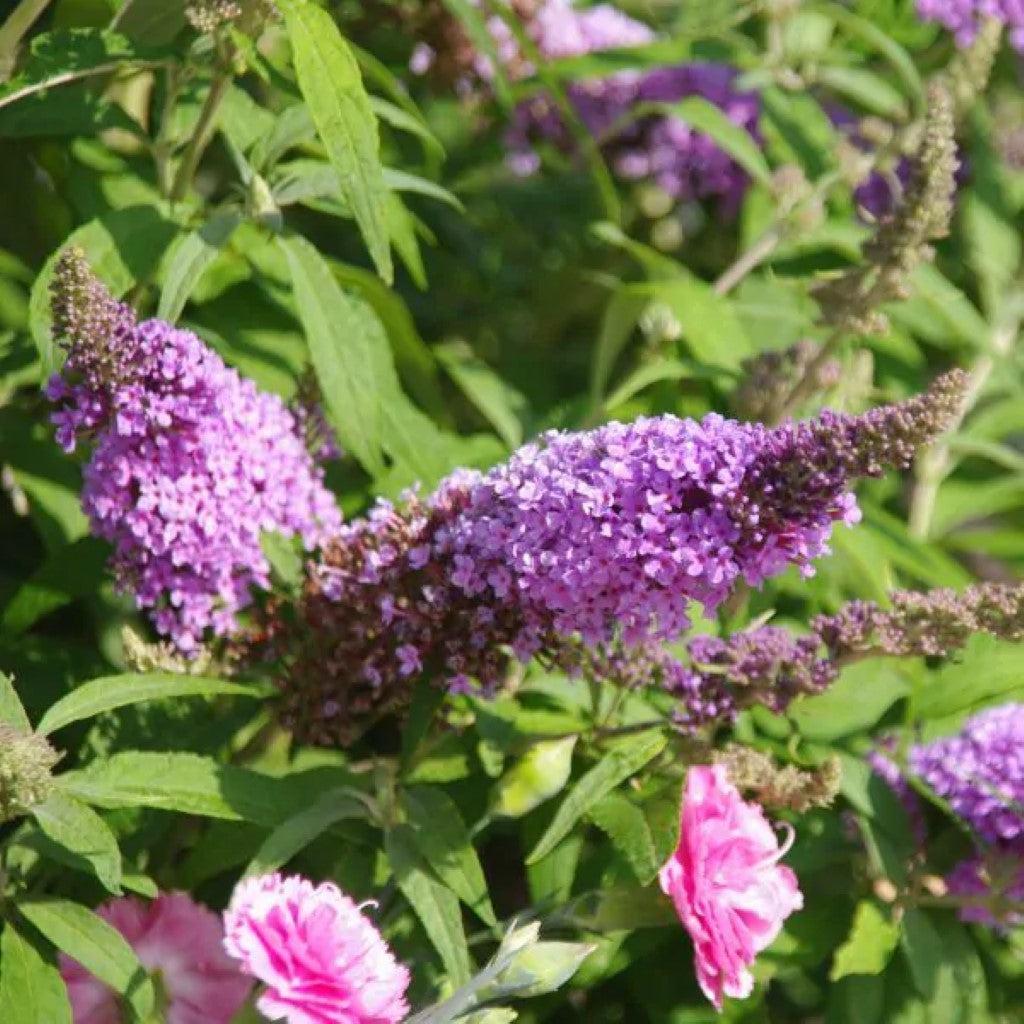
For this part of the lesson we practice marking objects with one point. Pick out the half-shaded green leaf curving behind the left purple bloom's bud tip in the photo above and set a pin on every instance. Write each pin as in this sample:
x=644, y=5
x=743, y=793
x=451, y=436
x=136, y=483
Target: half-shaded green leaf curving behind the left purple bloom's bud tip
x=123, y=248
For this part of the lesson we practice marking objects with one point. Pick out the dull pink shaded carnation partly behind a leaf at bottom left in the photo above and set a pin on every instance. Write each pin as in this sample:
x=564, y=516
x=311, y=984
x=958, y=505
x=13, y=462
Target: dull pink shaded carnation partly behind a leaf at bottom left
x=181, y=942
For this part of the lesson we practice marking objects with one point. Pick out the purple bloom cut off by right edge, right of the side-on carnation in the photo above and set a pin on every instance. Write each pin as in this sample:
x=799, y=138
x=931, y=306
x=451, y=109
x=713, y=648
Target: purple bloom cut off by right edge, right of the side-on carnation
x=980, y=774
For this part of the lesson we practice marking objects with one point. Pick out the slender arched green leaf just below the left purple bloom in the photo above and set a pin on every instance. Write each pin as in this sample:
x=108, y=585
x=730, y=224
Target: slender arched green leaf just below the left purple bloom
x=110, y=693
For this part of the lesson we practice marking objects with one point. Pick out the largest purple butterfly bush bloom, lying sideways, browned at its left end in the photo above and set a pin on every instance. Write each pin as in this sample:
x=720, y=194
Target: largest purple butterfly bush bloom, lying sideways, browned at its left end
x=601, y=537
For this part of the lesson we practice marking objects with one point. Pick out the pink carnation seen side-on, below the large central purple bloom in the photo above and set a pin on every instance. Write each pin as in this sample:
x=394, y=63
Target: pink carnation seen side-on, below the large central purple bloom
x=730, y=889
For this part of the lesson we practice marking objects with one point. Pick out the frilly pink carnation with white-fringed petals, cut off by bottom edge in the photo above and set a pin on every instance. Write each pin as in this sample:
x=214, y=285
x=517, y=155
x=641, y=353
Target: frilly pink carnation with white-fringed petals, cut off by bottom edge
x=321, y=958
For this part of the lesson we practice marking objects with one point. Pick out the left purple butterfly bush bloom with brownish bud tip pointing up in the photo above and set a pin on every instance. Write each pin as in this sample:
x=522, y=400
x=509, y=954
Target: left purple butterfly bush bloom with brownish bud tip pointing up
x=189, y=464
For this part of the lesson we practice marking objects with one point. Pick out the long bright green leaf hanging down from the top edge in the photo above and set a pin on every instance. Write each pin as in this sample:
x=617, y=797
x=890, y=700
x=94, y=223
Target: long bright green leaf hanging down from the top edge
x=332, y=87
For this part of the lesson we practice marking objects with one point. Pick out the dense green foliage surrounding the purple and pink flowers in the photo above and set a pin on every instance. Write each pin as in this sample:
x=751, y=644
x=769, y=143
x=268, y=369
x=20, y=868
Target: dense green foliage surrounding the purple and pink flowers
x=303, y=201
